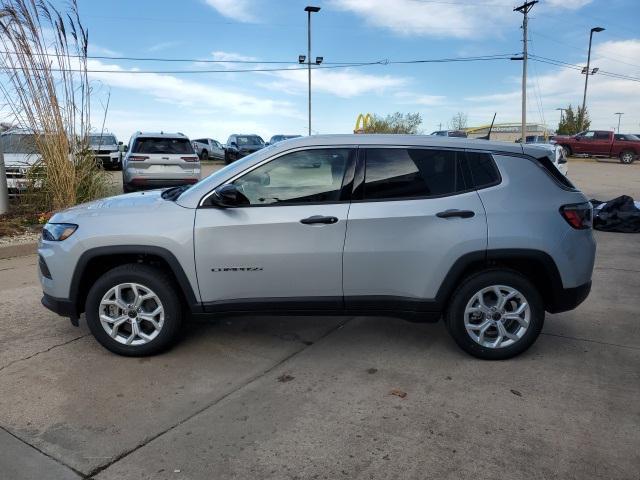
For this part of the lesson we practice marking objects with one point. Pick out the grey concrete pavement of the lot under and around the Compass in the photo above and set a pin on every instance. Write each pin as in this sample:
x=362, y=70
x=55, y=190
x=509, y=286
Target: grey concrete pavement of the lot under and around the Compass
x=311, y=397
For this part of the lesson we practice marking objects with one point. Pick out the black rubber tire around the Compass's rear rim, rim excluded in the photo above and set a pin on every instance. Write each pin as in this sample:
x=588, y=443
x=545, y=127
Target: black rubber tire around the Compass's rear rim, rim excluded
x=455, y=322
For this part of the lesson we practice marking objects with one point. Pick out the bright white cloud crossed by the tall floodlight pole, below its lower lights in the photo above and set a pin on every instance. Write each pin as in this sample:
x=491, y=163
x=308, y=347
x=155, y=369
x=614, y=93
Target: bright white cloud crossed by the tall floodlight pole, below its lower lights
x=343, y=83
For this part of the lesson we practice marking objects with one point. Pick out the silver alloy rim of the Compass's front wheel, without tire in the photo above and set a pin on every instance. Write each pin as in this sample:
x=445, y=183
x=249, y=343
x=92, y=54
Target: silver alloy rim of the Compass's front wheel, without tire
x=131, y=314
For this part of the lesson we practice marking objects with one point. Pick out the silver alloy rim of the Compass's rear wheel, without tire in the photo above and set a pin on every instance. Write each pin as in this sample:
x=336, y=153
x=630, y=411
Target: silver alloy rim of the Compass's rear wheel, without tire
x=497, y=316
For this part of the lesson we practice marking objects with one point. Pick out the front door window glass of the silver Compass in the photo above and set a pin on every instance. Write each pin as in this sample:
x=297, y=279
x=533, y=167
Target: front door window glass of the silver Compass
x=306, y=176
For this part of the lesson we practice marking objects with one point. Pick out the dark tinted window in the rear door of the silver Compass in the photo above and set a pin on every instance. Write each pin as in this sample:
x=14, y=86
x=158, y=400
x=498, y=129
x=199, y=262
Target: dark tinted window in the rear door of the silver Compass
x=410, y=173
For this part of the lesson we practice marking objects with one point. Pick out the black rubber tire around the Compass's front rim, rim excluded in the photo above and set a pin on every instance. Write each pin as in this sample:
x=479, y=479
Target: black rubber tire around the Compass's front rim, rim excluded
x=151, y=278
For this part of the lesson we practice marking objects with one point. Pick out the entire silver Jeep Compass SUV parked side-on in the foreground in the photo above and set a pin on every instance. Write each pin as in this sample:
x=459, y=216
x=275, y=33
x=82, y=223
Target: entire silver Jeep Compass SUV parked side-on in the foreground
x=487, y=235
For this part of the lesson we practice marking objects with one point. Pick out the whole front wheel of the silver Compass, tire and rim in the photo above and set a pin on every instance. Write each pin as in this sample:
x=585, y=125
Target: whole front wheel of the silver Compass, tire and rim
x=133, y=310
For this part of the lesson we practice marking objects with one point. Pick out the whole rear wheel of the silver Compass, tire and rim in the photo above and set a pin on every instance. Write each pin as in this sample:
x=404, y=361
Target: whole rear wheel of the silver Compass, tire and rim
x=495, y=314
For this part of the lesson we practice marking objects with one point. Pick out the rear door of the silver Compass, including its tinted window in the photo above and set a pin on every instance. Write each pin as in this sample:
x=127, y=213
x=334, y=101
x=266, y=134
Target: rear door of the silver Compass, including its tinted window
x=414, y=214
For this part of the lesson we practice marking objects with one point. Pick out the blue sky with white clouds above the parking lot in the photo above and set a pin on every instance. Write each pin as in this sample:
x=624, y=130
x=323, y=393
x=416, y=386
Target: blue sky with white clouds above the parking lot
x=353, y=31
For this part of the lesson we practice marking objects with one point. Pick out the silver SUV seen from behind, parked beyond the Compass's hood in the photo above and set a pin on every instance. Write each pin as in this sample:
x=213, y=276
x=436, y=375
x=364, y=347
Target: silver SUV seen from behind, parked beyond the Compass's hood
x=155, y=160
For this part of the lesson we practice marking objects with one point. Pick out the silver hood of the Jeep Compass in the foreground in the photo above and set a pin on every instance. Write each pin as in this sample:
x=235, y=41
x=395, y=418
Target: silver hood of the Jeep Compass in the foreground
x=142, y=202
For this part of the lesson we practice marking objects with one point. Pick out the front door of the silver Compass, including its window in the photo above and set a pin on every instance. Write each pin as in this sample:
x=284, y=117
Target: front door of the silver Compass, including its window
x=284, y=250
